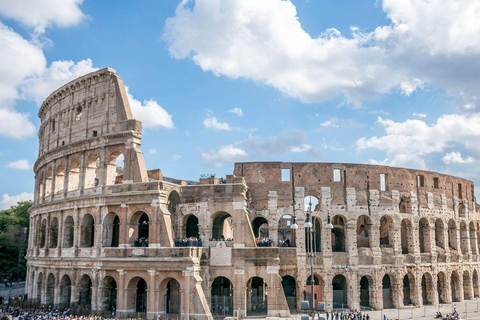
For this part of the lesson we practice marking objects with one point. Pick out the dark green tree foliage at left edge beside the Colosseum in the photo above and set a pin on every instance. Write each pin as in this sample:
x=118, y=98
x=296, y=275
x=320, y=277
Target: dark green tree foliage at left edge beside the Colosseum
x=14, y=223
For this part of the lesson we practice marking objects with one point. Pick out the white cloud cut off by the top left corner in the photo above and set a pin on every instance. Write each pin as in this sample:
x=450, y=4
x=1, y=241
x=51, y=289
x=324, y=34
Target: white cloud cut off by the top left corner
x=41, y=14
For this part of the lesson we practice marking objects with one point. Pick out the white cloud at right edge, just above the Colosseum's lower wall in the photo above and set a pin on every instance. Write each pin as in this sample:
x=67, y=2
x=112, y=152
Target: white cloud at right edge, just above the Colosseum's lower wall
x=408, y=143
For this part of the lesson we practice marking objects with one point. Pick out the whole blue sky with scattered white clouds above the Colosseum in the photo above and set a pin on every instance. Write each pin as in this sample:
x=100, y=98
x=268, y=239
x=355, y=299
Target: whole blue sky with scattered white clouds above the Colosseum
x=383, y=82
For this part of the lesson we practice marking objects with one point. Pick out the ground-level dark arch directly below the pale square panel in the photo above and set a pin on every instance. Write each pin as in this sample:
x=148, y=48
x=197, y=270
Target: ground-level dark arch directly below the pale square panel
x=222, y=297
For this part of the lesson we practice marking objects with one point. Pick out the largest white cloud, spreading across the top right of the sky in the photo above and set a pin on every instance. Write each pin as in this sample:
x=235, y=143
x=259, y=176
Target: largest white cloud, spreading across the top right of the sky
x=270, y=46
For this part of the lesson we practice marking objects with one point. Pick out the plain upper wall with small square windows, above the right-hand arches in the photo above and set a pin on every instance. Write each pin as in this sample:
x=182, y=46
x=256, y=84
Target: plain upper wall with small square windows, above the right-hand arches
x=428, y=187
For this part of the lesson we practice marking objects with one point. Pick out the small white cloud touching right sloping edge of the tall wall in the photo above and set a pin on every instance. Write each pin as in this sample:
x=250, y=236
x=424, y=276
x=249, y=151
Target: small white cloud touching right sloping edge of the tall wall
x=150, y=113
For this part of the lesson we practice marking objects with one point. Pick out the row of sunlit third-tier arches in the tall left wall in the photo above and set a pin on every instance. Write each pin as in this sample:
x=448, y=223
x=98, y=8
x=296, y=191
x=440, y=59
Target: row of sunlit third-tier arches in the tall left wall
x=67, y=178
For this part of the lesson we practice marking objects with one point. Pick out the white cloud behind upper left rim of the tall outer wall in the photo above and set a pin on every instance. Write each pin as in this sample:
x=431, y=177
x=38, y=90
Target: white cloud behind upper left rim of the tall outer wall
x=56, y=75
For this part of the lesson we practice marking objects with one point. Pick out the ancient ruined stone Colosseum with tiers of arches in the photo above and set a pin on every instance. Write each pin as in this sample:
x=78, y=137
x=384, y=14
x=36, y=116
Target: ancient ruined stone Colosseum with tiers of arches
x=108, y=235
